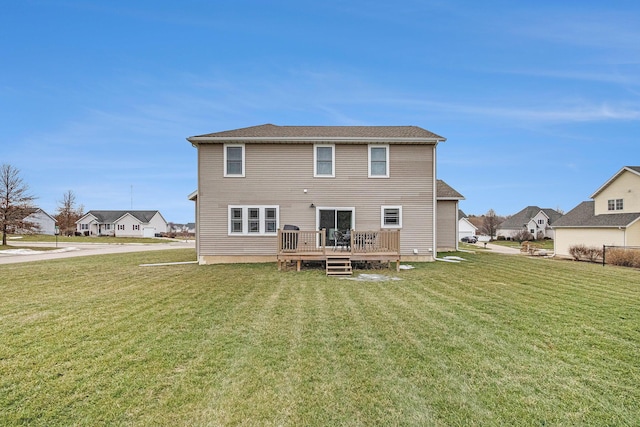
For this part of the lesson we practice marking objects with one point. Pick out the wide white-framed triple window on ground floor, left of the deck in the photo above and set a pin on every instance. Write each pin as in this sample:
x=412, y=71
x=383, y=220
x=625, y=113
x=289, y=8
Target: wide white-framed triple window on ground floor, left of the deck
x=253, y=220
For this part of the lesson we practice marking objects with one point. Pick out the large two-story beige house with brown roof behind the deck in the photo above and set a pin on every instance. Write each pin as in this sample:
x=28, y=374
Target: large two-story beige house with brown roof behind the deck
x=254, y=181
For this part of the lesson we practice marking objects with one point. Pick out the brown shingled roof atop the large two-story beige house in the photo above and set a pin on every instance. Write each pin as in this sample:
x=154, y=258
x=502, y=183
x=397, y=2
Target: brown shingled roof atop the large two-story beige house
x=271, y=133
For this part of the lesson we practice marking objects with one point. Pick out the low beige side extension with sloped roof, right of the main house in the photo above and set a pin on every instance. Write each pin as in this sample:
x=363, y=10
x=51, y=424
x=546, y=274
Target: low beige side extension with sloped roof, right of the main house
x=447, y=214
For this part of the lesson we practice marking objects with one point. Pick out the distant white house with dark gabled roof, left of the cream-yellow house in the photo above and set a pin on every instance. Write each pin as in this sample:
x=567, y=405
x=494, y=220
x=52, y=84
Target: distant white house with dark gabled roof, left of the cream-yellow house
x=533, y=219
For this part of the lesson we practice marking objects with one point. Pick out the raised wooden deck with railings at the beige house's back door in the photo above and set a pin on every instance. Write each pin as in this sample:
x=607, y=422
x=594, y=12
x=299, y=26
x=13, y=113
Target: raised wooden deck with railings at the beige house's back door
x=299, y=245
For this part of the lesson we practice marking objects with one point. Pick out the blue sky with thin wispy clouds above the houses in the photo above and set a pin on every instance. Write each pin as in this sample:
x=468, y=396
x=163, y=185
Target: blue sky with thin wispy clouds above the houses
x=539, y=101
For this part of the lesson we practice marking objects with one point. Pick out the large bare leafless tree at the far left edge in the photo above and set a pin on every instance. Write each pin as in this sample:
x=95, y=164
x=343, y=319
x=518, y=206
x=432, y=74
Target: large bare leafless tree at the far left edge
x=16, y=203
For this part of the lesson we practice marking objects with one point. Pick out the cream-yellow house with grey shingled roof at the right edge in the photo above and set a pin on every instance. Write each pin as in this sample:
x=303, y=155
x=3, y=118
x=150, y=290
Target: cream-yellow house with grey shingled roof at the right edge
x=611, y=218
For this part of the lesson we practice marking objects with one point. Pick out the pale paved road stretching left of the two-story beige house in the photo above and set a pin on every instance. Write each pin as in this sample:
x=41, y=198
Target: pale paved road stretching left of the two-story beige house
x=68, y=250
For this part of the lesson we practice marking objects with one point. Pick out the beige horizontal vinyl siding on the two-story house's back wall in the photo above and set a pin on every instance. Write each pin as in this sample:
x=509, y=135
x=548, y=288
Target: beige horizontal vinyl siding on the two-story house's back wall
x=278, y=174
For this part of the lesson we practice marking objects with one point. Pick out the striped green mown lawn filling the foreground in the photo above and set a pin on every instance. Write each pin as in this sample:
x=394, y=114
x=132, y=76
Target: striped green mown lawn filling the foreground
x=496, y=340
